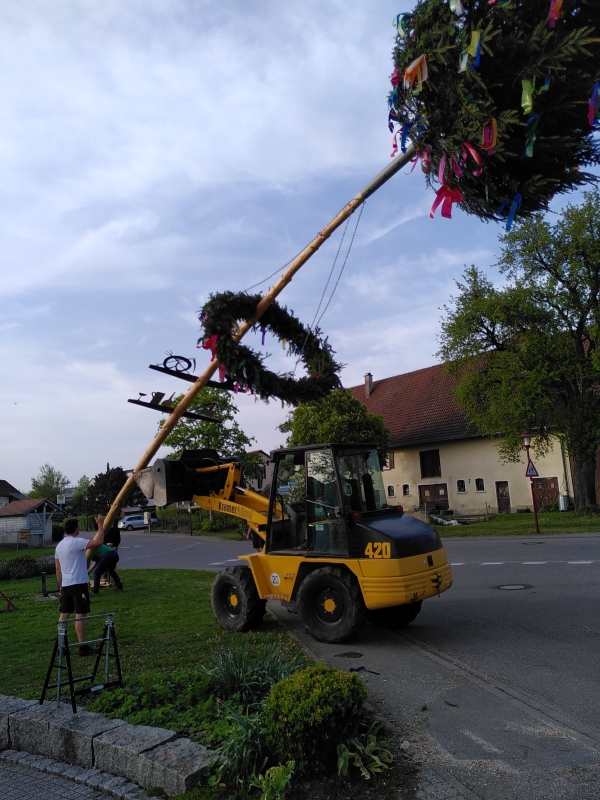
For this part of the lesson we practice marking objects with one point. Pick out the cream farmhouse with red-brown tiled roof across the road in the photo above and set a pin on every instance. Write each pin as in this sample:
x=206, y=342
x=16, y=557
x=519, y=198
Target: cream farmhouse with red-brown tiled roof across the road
x=437, y=457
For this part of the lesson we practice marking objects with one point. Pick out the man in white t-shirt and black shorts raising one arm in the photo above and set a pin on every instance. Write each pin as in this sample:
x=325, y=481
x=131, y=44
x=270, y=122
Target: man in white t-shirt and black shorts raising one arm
x=72, y=576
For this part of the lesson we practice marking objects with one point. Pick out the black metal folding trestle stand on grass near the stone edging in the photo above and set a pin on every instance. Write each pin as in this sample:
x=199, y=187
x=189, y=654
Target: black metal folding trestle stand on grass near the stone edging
x=61, y=661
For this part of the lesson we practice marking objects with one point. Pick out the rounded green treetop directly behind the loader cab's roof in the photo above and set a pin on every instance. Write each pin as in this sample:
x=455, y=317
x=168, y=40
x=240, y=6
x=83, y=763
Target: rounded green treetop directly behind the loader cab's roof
x=339, y=417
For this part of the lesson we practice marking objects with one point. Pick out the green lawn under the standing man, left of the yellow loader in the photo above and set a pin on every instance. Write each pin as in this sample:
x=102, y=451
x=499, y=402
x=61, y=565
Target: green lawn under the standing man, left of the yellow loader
x=163, y=622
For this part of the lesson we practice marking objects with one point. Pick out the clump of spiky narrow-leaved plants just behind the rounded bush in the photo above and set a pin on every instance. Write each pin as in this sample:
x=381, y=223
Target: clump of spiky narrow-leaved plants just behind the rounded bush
x=243, y=671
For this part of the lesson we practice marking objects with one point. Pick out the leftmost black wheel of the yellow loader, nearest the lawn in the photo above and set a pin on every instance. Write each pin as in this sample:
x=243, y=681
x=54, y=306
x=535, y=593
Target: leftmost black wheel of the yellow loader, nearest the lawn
x=235, y=601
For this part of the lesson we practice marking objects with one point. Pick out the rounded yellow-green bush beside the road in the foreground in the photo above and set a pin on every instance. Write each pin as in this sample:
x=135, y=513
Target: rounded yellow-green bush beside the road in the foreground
x=310, y=712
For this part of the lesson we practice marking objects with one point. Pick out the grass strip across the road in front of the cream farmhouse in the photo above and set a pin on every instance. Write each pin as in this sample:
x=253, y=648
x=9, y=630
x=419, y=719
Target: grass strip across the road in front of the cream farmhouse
x=523, y=525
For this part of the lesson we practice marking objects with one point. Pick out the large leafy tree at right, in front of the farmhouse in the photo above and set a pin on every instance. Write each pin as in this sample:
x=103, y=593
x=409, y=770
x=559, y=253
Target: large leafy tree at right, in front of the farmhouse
x=526, y=355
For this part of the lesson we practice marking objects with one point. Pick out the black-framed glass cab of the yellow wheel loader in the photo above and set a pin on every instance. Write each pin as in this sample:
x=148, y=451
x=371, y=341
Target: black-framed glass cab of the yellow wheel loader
x=316, y=490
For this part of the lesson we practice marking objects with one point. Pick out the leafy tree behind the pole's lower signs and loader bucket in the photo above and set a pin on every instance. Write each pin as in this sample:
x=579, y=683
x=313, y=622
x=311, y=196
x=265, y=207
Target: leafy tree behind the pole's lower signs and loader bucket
x=224, y=436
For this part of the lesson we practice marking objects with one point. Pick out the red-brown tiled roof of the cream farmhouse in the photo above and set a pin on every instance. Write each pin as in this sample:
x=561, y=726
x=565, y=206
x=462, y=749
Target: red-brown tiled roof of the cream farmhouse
x=417, y=408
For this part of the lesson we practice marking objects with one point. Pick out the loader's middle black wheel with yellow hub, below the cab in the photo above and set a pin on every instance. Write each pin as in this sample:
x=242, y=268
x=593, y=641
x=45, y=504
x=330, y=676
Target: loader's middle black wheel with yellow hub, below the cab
x=330, y=605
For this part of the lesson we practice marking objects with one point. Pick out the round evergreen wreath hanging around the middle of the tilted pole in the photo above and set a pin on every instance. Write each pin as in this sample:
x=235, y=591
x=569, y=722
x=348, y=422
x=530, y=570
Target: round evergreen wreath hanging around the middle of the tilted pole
x=220, y=317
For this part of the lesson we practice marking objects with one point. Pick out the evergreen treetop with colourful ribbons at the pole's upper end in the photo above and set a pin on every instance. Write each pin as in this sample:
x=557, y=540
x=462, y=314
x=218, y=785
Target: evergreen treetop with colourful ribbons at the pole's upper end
x=527, y=68
